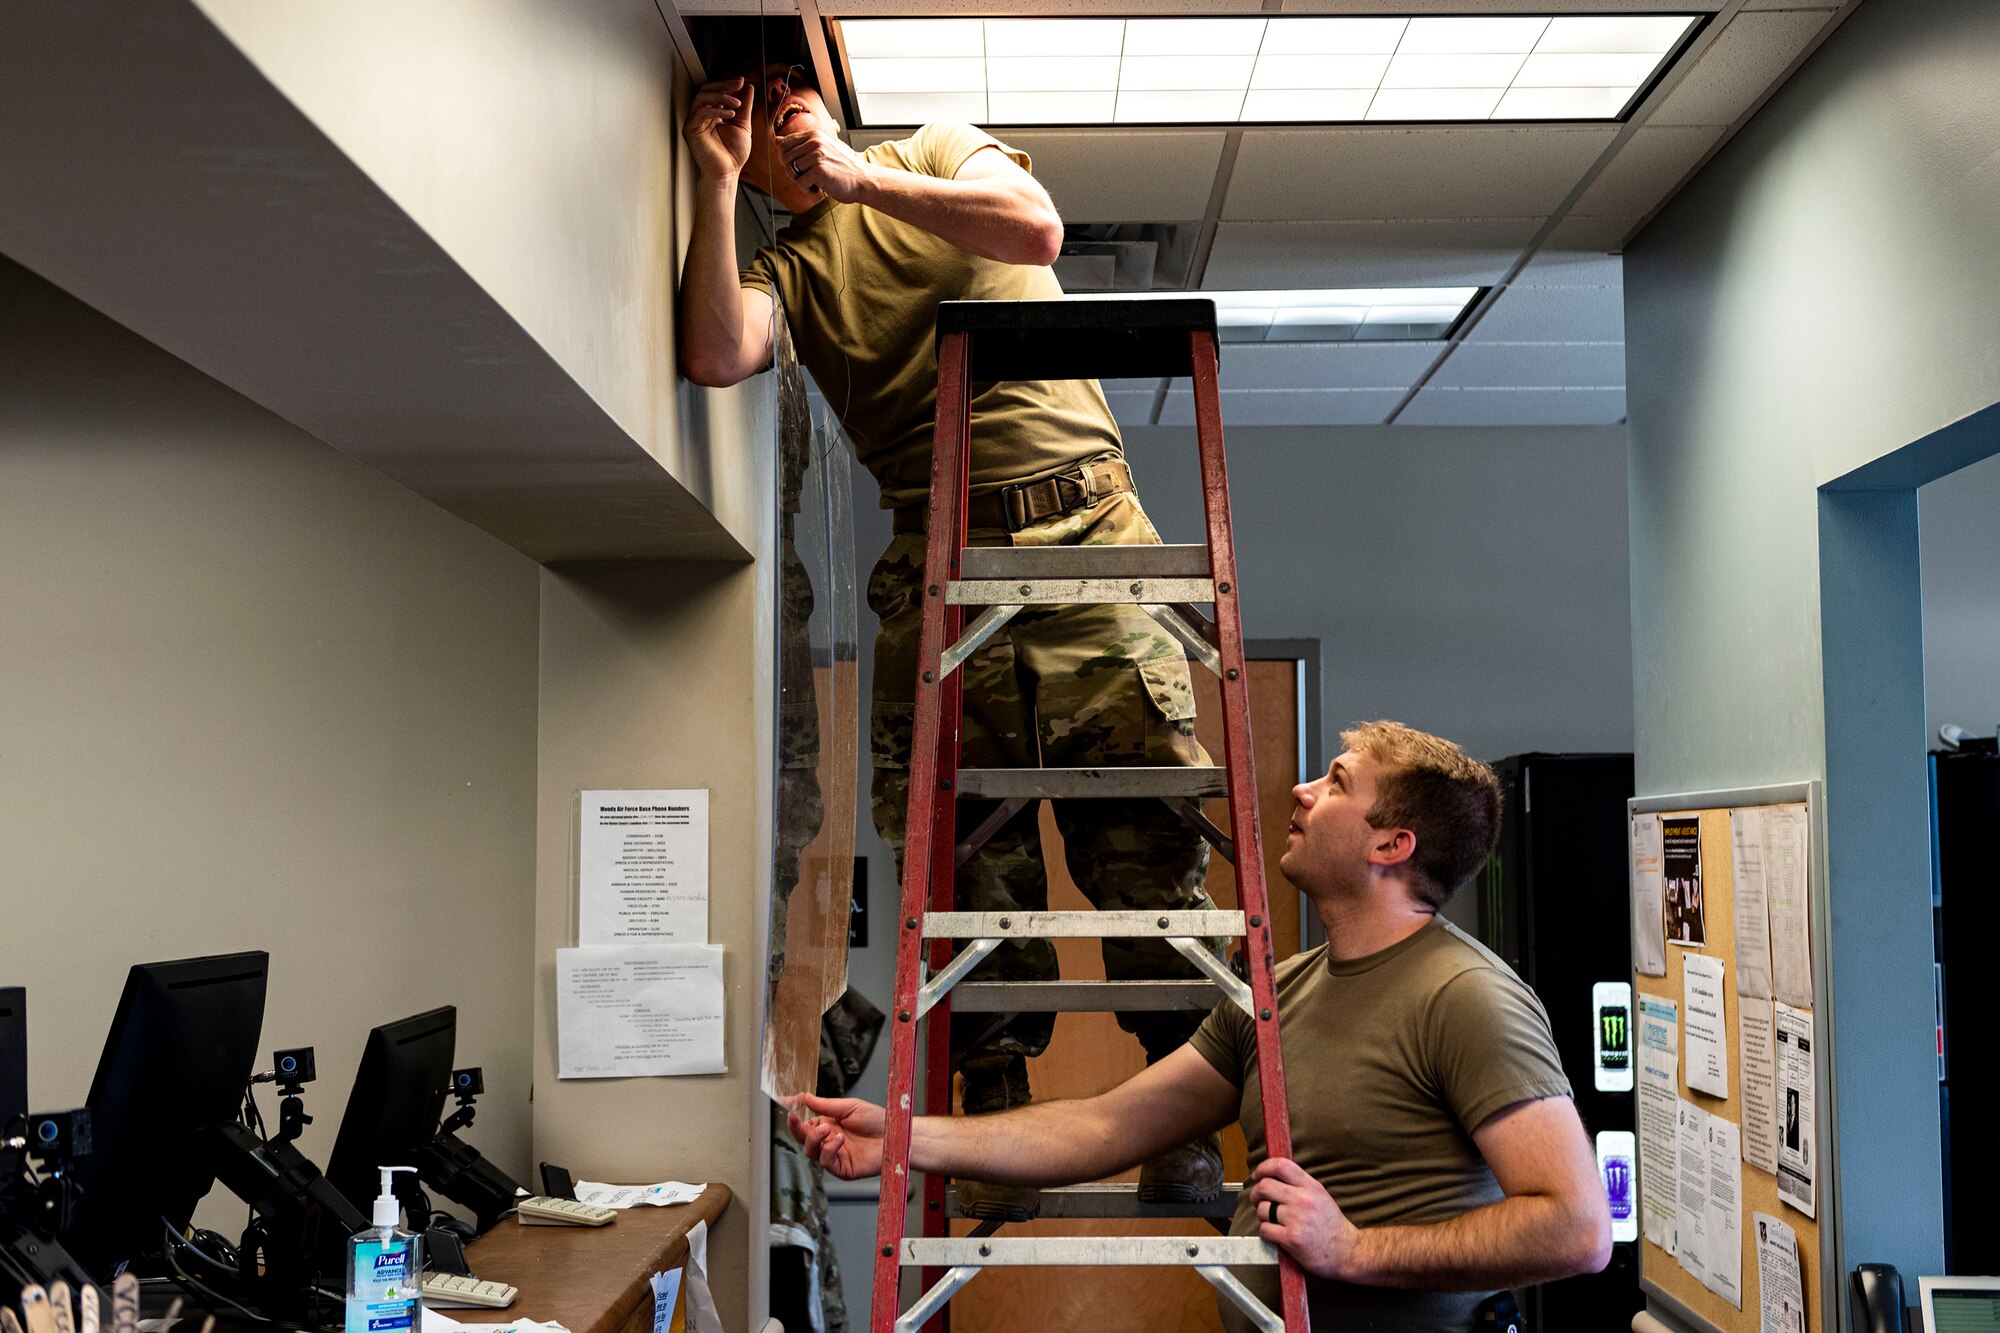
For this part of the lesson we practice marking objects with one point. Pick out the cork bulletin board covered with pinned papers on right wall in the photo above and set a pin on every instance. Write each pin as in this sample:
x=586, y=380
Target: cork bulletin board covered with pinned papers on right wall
x=1703, y=924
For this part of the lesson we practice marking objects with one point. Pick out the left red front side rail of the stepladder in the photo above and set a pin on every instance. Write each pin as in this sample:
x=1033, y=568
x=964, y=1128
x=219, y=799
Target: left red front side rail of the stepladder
x=921, y=838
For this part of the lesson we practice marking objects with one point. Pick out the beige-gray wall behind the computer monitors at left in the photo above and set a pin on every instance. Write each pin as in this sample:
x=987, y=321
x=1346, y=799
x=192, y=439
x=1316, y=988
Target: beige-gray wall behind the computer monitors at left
x=253, y=696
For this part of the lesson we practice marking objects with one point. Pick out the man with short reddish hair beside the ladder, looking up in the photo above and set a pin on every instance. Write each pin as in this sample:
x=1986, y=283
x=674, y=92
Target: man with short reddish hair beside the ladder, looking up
x=1437, y=1154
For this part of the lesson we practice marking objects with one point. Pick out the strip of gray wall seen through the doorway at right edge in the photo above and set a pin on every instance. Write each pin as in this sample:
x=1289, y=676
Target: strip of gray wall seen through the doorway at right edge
x=1961, y=541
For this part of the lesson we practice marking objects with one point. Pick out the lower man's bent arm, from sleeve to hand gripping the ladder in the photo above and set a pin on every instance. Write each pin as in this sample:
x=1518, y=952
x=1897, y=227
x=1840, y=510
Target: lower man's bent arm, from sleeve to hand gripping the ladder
x=1555, y=1220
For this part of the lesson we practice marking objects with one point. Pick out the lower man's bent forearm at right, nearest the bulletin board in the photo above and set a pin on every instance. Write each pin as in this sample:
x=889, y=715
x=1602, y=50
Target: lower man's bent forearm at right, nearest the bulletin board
x=1509, y=1244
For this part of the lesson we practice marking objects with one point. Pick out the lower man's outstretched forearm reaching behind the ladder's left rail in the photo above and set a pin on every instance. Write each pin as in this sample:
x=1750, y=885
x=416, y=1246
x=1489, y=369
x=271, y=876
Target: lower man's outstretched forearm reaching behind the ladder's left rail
x=1043, y=1144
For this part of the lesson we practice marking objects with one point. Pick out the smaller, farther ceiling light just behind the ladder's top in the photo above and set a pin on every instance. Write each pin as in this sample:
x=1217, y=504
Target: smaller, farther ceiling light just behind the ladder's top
x=1345, y=315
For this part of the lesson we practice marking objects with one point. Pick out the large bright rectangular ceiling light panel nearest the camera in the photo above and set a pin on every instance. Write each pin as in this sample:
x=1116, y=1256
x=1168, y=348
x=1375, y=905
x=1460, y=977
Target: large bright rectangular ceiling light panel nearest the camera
x=1231, y=71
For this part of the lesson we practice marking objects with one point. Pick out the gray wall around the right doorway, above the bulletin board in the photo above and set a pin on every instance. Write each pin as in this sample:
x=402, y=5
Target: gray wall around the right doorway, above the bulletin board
x=1819, y=301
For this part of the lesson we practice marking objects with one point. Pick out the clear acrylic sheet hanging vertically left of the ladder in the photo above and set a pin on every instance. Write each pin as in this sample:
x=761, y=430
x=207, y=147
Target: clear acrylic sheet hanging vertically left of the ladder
x=819, y=734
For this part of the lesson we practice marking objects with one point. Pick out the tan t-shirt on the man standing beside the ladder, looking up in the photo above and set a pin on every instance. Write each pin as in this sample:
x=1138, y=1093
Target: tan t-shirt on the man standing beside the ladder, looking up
x=1391, y=1064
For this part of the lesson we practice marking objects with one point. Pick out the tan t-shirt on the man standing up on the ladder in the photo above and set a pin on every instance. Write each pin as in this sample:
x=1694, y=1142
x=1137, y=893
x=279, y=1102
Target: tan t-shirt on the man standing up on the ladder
x=861, y=293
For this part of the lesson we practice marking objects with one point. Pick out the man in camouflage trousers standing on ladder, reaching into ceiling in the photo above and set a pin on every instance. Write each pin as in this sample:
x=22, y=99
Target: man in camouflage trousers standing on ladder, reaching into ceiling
x=877, y=241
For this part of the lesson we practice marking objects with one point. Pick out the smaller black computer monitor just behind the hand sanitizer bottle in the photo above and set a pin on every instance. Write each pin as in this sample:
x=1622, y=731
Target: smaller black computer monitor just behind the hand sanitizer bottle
x=397, y=1102
